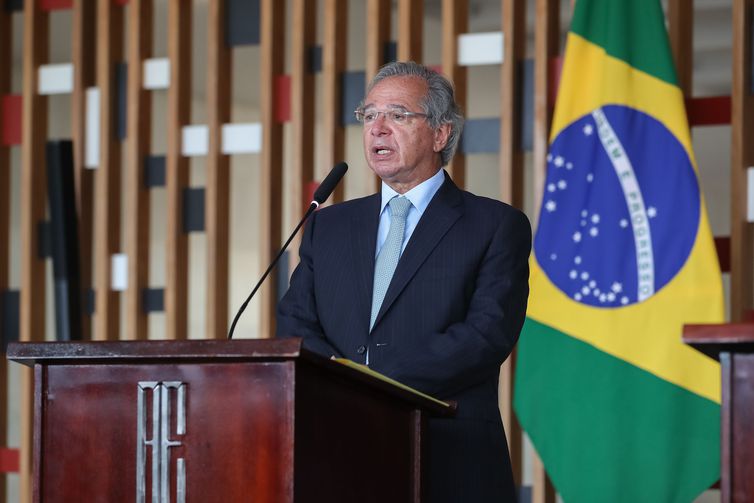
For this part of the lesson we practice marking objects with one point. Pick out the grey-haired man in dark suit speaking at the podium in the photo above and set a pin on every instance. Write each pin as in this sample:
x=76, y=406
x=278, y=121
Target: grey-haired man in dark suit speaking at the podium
x=424, y=282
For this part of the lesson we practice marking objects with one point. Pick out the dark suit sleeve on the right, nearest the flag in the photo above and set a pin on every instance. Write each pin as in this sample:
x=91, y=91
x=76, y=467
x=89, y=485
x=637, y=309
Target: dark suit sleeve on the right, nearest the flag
x=471, y=351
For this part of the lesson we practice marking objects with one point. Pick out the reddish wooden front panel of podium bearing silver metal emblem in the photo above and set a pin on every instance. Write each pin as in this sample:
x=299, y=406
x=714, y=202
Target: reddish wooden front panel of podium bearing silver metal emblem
x=211, y=432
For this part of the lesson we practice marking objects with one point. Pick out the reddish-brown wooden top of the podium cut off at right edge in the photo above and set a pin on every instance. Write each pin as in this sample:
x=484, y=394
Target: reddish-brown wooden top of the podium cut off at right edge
x=719, y=338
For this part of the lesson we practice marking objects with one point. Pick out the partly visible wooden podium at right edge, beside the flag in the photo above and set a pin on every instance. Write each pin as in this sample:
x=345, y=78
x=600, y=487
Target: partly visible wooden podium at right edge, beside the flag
x=733, y=345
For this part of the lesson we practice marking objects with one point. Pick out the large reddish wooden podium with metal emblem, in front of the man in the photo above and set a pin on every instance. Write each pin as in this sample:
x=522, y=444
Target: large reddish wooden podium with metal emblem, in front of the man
x=225, y=421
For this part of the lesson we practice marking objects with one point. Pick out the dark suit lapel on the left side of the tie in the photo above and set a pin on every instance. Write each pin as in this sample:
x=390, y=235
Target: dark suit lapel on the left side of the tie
x=364, y=232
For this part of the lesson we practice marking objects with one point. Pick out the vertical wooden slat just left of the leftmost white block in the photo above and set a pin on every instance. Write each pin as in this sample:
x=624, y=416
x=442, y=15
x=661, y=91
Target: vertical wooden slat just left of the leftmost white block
x=33, y=206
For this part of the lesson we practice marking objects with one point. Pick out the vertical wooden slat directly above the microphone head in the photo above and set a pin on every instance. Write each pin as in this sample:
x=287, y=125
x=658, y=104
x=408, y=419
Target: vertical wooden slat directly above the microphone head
x=334, y=65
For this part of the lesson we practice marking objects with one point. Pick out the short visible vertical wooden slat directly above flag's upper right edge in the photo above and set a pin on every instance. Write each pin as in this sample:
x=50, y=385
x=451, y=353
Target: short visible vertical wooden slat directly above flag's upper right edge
x=681, y=33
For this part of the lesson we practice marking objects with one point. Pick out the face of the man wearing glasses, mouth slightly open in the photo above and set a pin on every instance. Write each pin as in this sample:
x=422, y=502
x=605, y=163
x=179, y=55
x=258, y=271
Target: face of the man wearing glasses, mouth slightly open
x=402, y=155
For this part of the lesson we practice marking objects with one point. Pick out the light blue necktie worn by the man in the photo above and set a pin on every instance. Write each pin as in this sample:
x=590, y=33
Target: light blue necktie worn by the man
x=387, y=258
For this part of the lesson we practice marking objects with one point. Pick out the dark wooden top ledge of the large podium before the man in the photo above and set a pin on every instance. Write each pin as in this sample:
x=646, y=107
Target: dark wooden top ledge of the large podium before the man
x=207, y=351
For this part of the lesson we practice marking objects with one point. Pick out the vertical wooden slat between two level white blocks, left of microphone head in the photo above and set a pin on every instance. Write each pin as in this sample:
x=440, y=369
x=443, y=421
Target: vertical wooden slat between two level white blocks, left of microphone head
x=217, y=191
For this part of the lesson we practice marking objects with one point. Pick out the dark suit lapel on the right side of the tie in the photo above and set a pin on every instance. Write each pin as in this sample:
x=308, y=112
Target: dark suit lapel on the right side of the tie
x=446, y=207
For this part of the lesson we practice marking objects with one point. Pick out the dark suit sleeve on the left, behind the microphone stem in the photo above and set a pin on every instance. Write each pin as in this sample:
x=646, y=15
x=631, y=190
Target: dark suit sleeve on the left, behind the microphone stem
x=297, y=311
